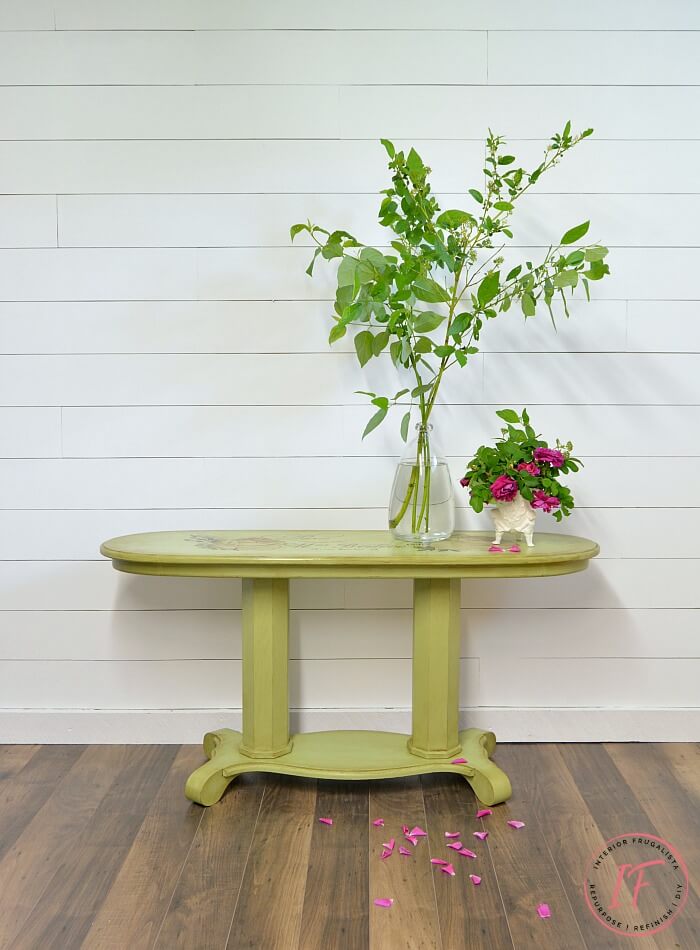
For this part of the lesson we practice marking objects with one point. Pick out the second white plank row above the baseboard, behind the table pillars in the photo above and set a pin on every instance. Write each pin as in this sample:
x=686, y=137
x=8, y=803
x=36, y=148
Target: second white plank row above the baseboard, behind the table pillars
x=344, y=634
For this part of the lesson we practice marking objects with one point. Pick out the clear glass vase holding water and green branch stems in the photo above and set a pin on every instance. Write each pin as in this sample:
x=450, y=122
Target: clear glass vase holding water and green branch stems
x=421, y=508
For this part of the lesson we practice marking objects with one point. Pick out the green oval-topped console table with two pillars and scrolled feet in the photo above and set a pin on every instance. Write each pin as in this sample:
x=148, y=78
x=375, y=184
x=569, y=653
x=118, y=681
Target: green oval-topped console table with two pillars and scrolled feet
x=266, y=560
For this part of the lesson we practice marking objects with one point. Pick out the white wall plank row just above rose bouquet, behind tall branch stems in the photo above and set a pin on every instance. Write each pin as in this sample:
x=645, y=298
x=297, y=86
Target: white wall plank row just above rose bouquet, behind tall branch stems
x=332, y=378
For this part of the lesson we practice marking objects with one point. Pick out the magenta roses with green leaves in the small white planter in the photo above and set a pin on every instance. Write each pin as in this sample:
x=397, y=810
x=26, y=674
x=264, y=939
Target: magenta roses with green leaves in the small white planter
x=521, y=465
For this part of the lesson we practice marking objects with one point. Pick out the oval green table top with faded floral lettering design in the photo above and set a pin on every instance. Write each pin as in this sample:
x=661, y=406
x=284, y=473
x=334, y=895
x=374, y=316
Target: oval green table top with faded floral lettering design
x=341, y=554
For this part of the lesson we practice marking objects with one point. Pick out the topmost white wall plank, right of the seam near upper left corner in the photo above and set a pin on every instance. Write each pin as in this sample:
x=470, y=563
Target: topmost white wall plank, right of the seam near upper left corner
x=316, y=14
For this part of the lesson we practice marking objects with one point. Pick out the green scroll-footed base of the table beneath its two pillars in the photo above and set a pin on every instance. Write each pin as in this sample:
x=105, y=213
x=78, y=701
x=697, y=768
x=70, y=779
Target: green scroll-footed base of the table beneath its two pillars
x=348, y=754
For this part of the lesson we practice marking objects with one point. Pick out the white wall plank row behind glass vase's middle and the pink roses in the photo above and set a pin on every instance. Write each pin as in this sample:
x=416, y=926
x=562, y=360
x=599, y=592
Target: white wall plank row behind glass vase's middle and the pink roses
x=294, y=483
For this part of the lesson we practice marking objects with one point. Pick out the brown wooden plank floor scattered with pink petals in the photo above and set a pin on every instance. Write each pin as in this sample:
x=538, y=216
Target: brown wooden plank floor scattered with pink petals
x=100, y=849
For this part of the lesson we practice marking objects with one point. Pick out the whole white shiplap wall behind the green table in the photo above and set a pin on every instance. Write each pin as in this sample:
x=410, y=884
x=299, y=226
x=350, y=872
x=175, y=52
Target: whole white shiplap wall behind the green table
x=163, y=358
